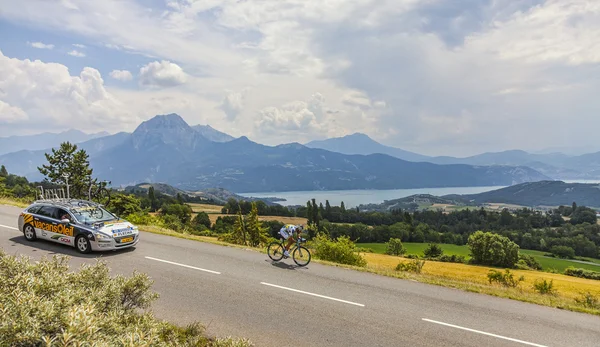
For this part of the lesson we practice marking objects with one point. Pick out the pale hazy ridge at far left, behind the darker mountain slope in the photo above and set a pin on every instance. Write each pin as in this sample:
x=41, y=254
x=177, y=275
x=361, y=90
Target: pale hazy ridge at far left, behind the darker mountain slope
x=43, y=141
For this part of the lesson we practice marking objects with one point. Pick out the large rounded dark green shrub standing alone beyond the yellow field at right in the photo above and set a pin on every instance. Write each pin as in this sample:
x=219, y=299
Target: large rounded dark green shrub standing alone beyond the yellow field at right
x=493, y=249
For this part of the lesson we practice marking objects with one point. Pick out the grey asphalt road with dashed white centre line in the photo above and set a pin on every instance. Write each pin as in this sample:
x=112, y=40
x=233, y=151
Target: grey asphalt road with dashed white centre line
x=242, y=293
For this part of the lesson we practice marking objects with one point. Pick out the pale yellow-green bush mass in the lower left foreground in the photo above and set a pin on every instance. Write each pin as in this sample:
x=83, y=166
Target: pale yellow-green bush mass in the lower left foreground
x=42, y=303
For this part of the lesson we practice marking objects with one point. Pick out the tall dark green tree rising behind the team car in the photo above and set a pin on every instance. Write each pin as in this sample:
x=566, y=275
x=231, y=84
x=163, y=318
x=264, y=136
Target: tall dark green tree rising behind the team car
x=68, y=160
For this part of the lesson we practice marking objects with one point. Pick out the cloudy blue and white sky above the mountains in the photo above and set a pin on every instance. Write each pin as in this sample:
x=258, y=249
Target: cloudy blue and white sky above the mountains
x=431, y=76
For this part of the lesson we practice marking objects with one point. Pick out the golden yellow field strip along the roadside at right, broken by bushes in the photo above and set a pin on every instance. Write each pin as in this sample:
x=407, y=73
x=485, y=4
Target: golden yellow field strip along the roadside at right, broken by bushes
x=567, y=286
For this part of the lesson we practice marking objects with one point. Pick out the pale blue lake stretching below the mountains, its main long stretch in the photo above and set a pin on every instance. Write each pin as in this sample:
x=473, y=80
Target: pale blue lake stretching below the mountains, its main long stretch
x=353, y=198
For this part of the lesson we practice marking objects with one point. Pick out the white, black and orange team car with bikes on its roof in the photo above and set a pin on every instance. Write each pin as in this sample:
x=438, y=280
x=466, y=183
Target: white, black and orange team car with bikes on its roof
x=82, y=224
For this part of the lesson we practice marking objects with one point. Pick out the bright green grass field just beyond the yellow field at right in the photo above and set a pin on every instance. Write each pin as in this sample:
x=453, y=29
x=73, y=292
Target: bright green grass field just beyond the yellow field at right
x=548, y=264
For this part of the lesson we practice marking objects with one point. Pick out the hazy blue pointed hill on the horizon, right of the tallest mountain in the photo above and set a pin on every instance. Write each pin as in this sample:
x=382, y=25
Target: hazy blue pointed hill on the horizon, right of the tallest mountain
x=358, y=143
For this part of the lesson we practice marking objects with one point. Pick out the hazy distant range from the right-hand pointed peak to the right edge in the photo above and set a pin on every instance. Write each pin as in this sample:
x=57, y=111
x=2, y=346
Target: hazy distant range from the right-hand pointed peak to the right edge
x=554, y=165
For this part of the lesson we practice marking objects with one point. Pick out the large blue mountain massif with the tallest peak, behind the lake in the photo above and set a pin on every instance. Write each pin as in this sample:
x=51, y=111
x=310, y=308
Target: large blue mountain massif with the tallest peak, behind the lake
x=166, y=149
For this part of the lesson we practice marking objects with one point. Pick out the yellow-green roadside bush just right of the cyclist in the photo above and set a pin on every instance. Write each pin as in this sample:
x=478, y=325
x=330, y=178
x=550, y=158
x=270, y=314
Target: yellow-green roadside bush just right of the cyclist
x=342, y=250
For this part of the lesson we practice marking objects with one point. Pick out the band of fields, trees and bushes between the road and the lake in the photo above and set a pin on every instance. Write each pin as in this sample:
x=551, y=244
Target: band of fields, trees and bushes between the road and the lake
x=523, y=254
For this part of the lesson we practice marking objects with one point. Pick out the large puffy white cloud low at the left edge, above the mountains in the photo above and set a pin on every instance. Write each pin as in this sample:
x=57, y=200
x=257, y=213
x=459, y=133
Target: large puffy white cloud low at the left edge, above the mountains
x=53, y=99
